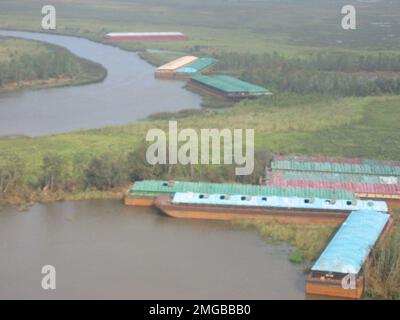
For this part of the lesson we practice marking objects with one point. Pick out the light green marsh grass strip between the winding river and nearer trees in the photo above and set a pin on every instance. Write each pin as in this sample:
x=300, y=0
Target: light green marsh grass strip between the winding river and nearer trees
x=314, y=126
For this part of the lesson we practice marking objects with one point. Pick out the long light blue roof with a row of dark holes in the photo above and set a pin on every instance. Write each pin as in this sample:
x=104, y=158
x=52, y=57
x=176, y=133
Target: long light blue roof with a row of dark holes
x=278, y=202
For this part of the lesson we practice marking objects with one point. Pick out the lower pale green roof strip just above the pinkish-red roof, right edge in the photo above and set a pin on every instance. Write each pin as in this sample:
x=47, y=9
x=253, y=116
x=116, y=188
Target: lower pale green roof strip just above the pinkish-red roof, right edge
x=333, y=177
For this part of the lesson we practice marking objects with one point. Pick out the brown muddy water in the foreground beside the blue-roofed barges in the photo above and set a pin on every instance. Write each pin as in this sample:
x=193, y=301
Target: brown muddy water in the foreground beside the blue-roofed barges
x=104, y=250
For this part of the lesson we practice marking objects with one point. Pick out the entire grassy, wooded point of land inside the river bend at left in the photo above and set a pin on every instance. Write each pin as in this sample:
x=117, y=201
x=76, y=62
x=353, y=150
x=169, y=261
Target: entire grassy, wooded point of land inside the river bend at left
x=26, y=63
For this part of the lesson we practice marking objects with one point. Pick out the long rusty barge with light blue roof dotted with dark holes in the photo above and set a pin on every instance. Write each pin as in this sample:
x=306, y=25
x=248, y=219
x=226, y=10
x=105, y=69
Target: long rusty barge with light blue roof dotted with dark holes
x=262, y=208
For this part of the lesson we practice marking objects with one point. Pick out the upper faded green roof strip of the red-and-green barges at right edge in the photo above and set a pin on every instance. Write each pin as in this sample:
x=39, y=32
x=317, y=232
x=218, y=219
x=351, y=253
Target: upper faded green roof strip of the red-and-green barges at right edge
x=335, y=167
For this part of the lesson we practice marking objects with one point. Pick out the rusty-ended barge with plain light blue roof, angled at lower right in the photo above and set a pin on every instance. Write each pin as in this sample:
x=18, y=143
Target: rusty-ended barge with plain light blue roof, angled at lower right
x=338, y=272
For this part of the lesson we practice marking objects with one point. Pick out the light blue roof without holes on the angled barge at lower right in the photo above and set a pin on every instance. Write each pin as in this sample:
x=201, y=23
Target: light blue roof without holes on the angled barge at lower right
x=351, y=245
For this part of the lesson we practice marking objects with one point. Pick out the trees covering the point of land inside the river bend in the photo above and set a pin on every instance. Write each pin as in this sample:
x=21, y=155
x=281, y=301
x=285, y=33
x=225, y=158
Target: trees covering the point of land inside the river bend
x=55, y=62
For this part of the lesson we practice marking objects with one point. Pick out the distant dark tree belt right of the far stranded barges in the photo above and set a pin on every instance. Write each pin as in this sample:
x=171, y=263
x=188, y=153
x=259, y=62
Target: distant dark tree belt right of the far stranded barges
x=338, y=73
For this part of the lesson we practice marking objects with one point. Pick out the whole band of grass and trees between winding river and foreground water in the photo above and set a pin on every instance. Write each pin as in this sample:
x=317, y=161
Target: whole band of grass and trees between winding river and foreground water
x=313, y=125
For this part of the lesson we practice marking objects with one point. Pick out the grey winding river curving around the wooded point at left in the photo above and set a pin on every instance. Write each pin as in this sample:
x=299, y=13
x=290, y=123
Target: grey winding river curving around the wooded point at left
x=129, y=93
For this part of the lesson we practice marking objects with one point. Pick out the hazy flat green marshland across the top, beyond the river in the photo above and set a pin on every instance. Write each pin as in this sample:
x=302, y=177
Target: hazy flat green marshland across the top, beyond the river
x=247, y=26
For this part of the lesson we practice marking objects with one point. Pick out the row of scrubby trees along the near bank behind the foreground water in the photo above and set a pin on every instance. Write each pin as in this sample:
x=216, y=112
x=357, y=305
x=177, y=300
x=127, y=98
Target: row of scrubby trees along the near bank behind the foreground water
x=107, y=171
